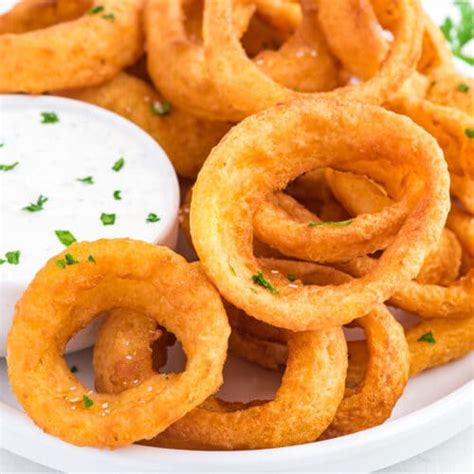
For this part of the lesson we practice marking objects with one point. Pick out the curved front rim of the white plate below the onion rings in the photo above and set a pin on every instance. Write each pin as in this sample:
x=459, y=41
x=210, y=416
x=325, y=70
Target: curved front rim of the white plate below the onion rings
x=15, y=424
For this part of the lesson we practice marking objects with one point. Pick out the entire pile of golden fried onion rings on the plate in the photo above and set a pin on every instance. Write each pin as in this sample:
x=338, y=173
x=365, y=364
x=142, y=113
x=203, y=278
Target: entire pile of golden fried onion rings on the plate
x=325, y=149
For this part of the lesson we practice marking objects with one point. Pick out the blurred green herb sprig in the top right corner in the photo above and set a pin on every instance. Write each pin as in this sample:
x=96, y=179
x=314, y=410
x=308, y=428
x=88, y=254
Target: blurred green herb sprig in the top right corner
x=459, y=34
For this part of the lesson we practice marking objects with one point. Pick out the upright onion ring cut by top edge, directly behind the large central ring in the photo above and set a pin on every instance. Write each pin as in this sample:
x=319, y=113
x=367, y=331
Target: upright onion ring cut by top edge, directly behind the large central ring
x=248, y=89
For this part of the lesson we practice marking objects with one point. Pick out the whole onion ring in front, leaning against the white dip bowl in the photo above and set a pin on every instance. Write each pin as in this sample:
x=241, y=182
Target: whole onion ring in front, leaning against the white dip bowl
x=61, y=301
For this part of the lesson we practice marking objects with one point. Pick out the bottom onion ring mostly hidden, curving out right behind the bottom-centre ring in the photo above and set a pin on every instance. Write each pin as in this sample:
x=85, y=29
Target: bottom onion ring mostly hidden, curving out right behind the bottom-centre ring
x=388, y=367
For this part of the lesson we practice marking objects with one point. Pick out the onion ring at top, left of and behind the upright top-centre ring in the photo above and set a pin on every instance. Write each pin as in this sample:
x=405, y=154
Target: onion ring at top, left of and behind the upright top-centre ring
x=178, y=66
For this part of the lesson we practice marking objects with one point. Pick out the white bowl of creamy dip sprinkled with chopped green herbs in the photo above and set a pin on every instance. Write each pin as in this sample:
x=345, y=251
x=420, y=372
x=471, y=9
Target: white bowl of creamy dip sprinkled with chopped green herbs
x=71, y=171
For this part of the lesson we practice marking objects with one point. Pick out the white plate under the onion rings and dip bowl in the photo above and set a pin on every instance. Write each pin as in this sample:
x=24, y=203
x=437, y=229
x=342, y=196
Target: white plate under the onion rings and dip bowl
x=435, y=406
